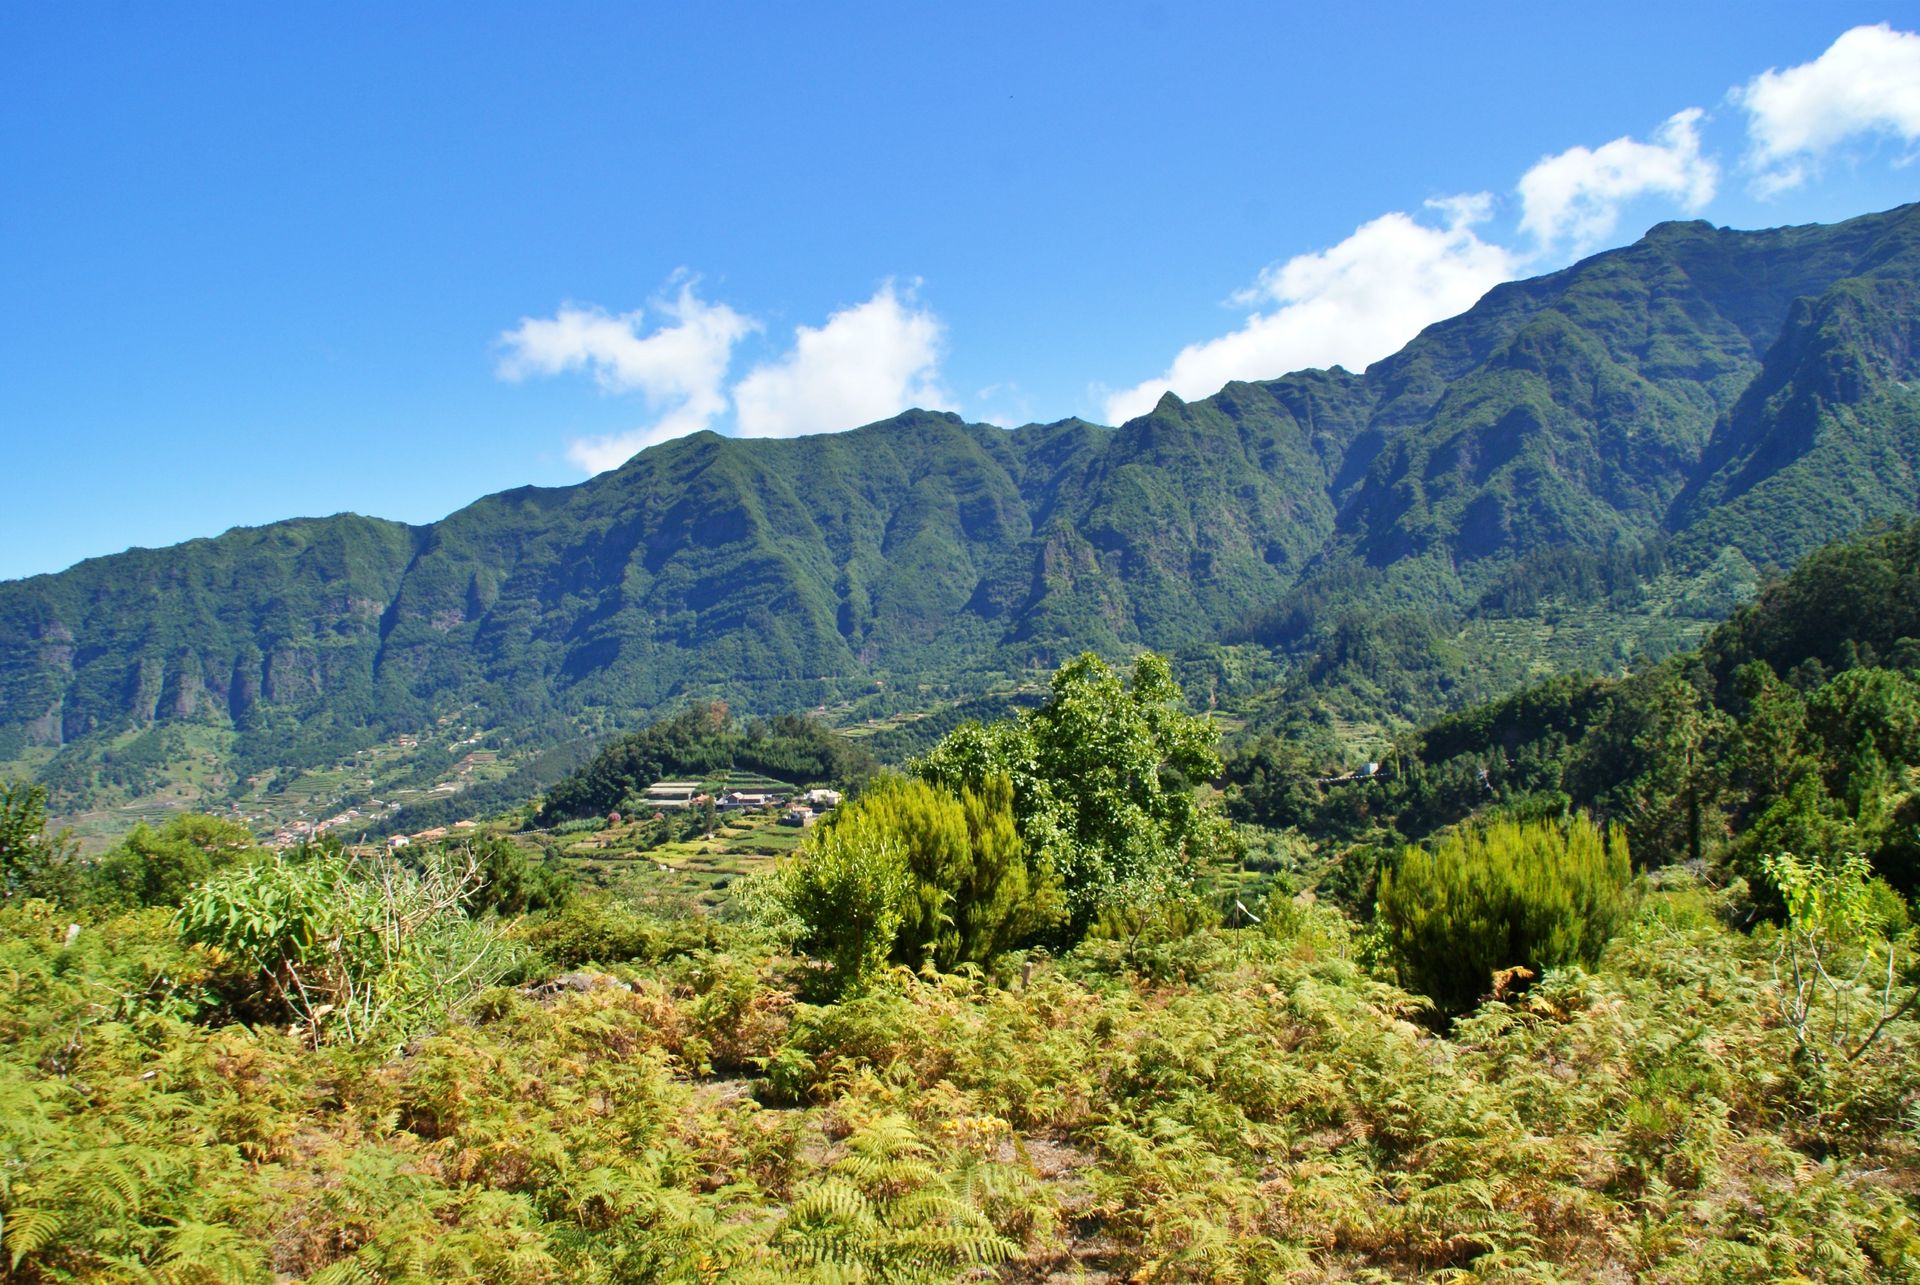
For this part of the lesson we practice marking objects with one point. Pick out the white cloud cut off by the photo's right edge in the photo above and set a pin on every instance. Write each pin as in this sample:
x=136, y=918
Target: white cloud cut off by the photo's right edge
x=1865, y=84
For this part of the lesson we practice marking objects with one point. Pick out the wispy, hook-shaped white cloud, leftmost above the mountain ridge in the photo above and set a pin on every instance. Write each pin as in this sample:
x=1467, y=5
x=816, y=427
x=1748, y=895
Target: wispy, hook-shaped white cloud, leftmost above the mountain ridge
x=679, y=370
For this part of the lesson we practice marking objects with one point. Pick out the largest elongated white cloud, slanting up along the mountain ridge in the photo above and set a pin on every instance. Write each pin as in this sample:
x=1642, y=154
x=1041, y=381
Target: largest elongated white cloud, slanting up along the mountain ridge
x=1349, y=306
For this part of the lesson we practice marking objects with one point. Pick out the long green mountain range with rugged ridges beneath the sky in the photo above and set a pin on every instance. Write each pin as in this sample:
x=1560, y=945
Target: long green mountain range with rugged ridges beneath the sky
x=1700, y=408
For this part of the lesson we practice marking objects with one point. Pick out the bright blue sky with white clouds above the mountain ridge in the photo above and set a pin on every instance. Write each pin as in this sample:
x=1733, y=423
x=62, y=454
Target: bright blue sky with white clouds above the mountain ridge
x=297, y=260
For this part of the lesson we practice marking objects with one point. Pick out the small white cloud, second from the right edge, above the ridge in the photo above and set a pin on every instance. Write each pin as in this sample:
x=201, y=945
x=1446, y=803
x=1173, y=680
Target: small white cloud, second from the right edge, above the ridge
x=1577, y=195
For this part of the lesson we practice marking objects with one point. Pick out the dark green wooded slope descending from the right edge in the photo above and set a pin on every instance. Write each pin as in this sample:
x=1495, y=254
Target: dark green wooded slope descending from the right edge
x=1796, y=727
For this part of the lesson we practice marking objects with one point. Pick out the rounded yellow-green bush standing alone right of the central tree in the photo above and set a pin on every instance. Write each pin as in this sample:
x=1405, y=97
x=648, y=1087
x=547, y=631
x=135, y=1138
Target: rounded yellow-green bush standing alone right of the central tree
x=1512, y=896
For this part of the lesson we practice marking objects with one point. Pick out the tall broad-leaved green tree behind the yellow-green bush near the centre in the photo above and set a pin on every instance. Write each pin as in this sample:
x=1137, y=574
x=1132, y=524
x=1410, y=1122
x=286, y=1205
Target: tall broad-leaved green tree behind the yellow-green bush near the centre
x=1103, y=781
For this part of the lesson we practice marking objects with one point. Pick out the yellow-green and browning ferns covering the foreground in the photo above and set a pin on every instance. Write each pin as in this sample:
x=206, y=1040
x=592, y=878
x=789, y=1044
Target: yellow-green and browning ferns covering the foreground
x=1230, y=1105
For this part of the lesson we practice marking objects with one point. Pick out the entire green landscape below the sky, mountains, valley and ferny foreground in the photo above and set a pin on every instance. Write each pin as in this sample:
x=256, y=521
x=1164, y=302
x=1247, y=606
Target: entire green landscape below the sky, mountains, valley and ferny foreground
x=1449, y=821
